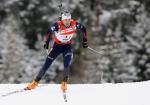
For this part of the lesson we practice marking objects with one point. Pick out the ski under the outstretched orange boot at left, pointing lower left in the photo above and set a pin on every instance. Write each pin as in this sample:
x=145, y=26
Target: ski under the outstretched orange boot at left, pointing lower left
x=18, y=91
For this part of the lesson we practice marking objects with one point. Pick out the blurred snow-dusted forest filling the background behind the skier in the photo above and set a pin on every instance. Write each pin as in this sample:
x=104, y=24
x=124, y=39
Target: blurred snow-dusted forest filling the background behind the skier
x=120, y=29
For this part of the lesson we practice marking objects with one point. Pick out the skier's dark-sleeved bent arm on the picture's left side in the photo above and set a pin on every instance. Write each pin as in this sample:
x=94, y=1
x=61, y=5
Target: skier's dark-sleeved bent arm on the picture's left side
x=49, y=32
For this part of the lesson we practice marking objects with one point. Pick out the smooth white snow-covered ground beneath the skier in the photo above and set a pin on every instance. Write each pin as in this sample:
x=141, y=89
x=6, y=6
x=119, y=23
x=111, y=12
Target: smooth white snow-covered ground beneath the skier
x=79, y=94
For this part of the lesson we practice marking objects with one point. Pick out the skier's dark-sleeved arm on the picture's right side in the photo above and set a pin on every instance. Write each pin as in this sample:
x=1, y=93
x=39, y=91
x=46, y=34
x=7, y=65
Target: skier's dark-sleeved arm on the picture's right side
x=84, y=33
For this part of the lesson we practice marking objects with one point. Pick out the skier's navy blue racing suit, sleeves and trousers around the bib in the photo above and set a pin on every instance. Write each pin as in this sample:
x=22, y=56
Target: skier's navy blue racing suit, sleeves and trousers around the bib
x=61, y=48
